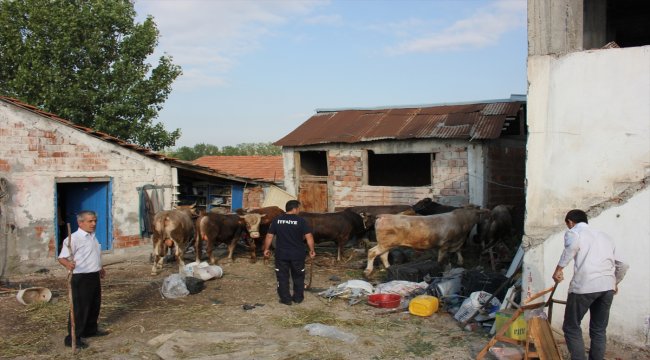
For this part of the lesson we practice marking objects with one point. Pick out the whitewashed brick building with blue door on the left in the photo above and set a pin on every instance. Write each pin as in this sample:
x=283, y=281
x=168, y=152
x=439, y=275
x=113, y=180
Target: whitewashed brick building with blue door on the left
x=51, y=168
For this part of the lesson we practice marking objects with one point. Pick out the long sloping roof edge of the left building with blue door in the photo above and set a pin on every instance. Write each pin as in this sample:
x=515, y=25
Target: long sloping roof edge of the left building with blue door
x=133, y=147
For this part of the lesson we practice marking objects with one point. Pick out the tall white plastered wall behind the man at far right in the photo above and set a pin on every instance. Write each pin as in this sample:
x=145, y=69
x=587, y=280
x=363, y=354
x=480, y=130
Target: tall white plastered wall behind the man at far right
x=589, y=148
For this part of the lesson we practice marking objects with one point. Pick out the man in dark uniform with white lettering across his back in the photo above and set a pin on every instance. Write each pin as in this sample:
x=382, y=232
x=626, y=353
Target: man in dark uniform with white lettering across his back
x=291, y=231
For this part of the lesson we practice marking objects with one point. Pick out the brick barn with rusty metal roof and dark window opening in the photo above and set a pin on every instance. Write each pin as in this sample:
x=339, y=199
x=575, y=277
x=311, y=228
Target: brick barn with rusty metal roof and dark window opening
x=454, y=153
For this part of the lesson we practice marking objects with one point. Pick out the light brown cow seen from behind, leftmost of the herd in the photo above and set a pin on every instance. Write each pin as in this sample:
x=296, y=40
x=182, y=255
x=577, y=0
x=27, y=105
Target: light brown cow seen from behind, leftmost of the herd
x=172, y=228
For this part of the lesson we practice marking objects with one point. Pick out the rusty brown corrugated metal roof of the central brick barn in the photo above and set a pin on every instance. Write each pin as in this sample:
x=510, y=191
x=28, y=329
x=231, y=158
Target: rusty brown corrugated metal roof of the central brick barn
x=460, y=121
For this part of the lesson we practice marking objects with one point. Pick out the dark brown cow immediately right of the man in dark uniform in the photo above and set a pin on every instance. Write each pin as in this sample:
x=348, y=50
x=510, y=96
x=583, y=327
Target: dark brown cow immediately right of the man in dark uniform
x=338, y=226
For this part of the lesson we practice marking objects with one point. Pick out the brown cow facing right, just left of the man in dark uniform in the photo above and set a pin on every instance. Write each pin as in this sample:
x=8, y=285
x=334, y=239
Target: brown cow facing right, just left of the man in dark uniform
x=216, y=228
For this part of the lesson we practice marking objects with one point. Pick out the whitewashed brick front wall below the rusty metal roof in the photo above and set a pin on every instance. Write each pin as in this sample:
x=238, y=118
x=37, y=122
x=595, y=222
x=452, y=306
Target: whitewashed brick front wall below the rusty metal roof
x=347, y=176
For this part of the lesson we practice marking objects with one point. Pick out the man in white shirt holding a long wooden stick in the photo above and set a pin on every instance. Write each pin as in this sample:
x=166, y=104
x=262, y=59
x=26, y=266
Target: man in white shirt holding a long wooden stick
x=83, y=259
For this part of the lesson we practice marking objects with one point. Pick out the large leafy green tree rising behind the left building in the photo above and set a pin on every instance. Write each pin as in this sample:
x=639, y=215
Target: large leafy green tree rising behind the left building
x=84, y=60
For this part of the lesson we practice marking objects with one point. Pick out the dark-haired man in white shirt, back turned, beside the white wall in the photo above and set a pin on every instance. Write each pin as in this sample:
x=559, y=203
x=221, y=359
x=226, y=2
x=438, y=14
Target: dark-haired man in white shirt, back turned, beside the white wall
x=597, y=272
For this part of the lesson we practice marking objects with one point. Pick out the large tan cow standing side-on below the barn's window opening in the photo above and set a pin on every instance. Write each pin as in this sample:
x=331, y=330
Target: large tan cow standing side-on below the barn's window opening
x=447, y=232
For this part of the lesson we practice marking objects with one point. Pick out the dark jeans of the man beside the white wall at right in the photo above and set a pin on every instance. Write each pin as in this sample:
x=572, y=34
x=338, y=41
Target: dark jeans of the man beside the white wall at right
x=577, y=305
